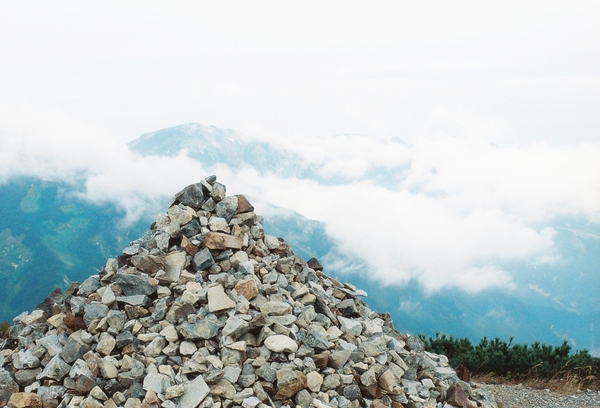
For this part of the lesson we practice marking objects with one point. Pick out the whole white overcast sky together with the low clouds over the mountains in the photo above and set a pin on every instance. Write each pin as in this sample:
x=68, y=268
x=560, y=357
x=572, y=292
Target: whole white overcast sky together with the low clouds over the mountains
x=497, y=105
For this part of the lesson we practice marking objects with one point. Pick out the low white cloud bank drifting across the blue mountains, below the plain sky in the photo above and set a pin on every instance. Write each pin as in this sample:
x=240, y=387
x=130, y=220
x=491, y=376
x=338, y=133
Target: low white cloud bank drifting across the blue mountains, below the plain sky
x=463, y=208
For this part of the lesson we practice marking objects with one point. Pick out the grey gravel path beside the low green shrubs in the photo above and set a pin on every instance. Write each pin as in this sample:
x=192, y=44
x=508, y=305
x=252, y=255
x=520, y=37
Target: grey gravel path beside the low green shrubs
x=520, y=396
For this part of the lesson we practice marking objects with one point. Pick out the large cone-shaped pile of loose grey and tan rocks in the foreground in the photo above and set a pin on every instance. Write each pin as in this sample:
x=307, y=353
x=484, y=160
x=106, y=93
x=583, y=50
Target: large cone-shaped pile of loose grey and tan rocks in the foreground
x=205, y=311
